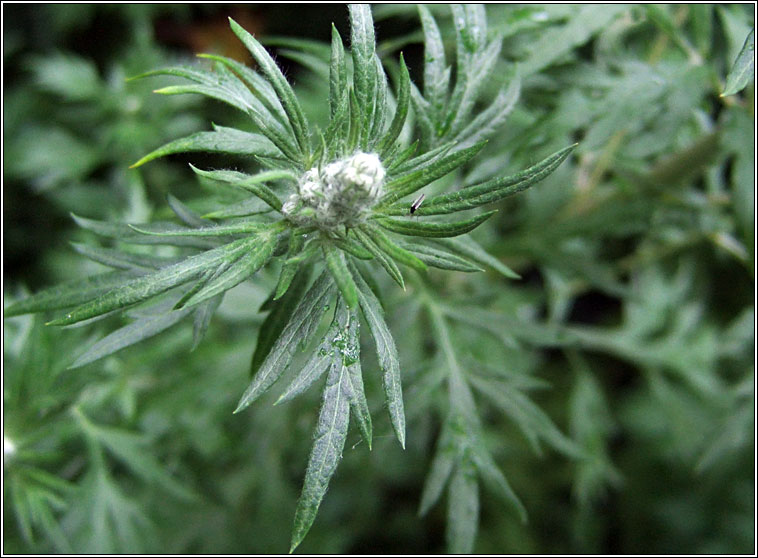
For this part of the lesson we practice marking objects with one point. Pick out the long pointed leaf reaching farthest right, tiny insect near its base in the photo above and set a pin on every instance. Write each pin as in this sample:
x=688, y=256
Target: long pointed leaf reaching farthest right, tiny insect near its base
x=489, y=191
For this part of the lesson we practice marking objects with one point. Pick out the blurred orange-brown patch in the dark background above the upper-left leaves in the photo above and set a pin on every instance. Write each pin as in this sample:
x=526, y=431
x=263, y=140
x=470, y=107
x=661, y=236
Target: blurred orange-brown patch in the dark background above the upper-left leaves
x=212, y=33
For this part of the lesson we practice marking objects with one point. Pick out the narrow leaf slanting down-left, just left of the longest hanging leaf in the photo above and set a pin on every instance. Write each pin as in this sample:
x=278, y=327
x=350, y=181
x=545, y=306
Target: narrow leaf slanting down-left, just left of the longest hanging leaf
x=297, y=332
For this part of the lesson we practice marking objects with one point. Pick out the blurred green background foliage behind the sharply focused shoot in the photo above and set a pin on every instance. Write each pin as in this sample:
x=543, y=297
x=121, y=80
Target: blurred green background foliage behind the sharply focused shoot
x=613, y=384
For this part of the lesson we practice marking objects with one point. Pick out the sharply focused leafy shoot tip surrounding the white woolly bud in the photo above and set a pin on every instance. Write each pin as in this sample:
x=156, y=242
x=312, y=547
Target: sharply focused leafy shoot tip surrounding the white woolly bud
x=330, y=239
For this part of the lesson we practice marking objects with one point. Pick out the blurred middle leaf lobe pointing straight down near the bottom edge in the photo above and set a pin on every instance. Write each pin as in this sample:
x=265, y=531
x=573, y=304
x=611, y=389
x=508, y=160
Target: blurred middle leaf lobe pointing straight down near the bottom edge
x=463, y=509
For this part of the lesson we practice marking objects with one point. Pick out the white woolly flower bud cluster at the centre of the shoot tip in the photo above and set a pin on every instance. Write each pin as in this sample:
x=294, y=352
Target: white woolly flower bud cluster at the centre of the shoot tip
x=341, y=193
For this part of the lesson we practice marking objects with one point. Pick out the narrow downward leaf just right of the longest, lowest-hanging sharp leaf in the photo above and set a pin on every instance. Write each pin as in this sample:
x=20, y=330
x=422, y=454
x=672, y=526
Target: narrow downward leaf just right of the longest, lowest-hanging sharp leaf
x=387, y=353
